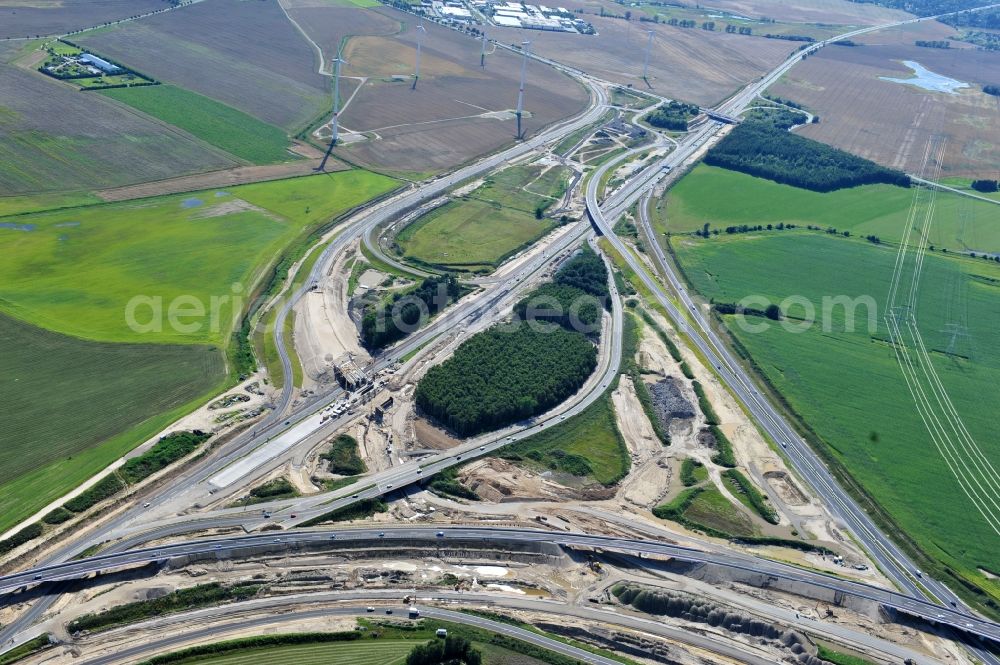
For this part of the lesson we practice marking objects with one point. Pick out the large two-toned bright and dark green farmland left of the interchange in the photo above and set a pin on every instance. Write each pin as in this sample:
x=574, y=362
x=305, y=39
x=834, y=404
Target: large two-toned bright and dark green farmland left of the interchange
x=87, y=388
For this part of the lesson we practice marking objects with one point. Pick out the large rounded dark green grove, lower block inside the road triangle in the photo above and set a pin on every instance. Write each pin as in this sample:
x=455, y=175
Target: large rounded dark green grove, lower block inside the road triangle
x=505, y=374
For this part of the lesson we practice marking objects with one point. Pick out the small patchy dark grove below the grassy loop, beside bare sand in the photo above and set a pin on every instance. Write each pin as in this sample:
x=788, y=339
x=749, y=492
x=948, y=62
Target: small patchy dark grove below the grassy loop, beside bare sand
x=390, y=320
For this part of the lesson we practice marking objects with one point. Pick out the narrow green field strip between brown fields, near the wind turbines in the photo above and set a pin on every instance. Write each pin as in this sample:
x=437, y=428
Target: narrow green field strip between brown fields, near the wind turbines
x=223, y=126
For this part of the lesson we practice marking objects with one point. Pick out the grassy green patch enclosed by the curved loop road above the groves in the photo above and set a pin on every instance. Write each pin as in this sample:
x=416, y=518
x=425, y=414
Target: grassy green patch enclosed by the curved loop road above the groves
x=479, y=231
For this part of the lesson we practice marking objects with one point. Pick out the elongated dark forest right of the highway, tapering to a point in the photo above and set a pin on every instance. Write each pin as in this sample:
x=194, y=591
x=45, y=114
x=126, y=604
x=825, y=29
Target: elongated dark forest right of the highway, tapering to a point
x=763, y=150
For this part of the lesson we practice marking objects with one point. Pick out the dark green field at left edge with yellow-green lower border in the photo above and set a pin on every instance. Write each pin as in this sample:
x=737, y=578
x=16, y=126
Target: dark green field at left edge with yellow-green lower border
x=67, y=402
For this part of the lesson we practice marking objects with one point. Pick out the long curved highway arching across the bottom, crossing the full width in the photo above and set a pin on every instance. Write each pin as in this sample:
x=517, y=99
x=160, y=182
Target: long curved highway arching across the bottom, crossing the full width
x=231, y=547
